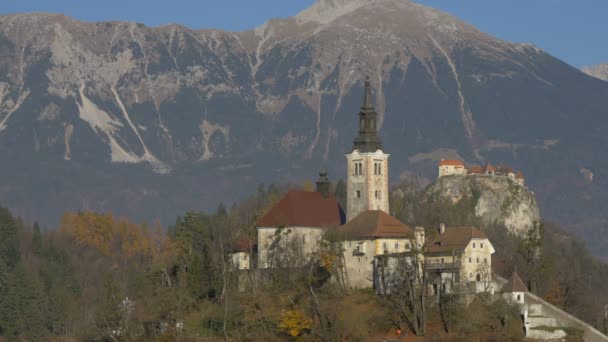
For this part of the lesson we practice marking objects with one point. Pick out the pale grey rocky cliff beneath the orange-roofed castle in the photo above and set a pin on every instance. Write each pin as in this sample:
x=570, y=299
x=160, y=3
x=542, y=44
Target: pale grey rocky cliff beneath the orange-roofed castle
x=496, y=200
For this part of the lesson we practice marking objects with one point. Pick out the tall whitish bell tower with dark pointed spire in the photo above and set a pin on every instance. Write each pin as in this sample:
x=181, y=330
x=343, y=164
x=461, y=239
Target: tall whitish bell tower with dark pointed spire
x=367, y=187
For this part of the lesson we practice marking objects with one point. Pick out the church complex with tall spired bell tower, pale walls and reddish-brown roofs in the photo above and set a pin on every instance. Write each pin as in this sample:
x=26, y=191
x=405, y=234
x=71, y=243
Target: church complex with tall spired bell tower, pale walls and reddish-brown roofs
x=292, y=232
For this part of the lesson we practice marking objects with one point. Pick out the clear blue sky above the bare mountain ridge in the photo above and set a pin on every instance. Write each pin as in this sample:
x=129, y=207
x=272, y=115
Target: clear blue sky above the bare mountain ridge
x=574, y=31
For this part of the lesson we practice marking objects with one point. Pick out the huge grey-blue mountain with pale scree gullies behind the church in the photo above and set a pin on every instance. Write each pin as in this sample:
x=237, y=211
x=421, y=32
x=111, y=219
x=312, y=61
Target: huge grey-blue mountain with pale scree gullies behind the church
x=151, y=121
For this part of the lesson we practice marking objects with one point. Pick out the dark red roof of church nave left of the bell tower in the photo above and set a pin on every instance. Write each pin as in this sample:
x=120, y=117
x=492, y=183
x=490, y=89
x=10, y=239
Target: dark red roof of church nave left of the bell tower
x=304, y=209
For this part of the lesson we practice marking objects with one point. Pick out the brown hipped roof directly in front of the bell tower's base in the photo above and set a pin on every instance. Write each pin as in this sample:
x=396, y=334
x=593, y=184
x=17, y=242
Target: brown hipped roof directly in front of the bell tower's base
x=374, y=224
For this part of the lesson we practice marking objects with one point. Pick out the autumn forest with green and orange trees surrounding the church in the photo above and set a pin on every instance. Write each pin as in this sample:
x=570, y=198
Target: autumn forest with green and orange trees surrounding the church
x=100, y=277
